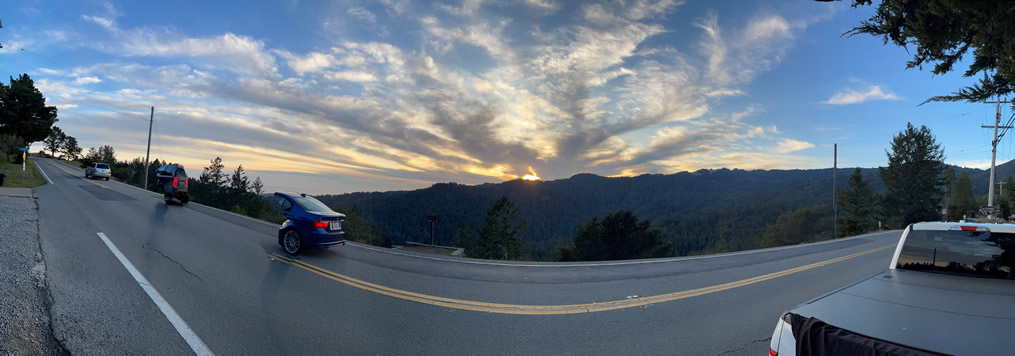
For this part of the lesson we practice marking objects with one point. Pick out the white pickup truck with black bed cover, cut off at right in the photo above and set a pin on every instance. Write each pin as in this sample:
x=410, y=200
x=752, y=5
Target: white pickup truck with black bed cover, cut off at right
x=951, y=290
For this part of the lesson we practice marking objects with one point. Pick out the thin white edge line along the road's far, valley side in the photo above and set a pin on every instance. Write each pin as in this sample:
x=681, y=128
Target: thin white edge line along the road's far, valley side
x=620, y=263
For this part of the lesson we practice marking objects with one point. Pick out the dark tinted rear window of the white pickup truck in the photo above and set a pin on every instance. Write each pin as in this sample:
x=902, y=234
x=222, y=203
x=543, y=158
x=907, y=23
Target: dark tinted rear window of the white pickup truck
x=978, y=254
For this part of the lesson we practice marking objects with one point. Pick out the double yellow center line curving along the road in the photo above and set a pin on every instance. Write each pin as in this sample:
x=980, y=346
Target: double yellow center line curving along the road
x=554, y=310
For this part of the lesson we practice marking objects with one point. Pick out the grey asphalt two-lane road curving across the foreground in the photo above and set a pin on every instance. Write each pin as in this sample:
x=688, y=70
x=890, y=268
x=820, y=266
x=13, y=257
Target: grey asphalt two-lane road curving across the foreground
x=234, y=292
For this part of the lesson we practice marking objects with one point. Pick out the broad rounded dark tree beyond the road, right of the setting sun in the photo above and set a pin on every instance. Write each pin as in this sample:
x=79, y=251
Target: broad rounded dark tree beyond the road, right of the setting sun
x=618, y=237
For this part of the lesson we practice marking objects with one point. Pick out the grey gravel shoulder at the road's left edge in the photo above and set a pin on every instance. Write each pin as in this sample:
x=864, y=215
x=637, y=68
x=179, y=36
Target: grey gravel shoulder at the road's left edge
x=25, y=318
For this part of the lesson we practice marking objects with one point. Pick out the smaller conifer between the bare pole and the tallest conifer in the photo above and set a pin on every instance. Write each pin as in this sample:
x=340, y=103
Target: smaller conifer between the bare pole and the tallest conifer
x=859, y=202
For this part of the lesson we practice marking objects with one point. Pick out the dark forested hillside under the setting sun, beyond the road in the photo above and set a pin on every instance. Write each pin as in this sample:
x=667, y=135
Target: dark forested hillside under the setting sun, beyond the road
x=705, y=210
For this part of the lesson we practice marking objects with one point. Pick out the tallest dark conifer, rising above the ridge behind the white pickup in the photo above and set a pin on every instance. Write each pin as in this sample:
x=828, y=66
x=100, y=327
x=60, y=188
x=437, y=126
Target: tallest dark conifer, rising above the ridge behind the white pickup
x=913, y=179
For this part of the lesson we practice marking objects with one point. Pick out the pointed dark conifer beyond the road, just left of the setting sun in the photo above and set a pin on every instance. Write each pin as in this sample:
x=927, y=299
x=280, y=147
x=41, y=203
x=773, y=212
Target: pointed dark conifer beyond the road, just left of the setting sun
x=498, y=240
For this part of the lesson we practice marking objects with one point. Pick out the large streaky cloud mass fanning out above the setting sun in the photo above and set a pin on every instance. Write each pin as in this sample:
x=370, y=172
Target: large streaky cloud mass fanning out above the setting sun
x=593, y=93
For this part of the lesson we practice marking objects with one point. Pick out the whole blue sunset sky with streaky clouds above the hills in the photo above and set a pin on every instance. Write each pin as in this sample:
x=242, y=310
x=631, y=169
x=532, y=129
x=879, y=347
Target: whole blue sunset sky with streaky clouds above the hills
x=340, y=97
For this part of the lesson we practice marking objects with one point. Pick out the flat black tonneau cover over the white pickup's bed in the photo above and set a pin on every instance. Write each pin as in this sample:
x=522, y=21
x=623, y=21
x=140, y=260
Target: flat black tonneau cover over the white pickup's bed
x=950, y=315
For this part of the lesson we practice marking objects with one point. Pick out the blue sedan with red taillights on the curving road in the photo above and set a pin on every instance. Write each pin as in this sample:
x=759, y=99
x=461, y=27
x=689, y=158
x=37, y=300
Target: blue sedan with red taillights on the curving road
x=310, y=225
